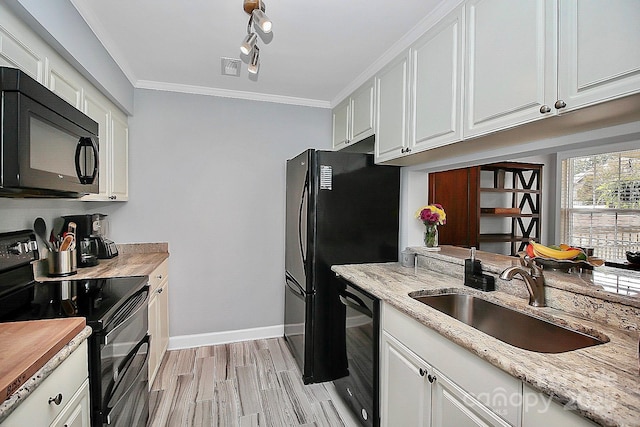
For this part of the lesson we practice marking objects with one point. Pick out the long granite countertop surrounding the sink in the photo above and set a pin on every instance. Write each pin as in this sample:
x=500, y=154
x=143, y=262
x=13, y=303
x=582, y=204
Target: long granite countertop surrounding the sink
x=601, y=382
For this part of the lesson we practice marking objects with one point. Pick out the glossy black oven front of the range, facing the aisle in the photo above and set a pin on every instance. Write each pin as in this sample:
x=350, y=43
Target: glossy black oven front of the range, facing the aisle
x=123, y=396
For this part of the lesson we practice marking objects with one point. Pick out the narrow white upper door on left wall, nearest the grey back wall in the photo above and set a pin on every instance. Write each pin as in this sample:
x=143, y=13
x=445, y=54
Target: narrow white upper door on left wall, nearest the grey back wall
x=119, y=157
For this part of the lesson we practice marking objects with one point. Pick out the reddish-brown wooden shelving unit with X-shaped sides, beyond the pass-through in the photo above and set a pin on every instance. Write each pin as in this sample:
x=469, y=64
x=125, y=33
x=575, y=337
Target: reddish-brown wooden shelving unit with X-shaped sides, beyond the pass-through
x=495, y=207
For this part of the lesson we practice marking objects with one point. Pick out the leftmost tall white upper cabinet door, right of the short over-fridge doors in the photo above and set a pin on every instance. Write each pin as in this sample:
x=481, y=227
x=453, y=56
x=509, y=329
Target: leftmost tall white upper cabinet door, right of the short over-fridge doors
x=392, y=103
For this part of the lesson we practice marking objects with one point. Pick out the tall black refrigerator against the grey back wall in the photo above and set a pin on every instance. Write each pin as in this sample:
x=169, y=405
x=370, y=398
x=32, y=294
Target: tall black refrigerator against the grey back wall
x=341, y=208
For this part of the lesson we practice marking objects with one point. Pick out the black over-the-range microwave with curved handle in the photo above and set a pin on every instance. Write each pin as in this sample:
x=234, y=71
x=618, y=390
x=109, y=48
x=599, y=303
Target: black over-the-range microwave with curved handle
x=48, y=147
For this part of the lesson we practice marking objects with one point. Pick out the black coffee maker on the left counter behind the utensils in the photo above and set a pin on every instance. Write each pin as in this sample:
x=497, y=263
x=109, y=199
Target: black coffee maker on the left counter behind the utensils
x=91, y=232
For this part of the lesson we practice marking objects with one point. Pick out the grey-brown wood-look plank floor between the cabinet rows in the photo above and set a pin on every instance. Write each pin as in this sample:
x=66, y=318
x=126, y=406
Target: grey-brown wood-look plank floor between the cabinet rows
x=250, y=383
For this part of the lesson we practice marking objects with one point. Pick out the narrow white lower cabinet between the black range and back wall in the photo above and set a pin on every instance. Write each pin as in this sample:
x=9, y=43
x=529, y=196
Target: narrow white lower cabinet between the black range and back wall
x=158, y=317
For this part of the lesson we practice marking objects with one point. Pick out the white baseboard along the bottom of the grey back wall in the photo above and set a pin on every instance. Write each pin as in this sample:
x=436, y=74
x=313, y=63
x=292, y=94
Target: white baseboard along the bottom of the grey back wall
x=214, y=338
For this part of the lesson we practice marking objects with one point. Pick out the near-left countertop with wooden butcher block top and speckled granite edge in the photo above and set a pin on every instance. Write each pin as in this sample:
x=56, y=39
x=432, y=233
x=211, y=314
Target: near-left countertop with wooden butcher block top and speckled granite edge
x=30, y=351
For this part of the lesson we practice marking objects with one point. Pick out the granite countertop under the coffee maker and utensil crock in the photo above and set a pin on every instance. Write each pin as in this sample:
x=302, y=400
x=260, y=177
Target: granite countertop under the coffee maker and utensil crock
x=137, y=259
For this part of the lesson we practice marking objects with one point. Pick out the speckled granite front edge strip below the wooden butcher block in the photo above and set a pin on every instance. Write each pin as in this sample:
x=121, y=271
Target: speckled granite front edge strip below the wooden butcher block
x=30, y=385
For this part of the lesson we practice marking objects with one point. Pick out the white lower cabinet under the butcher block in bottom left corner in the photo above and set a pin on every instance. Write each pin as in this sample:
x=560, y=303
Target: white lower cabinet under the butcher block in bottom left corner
x=62, y=399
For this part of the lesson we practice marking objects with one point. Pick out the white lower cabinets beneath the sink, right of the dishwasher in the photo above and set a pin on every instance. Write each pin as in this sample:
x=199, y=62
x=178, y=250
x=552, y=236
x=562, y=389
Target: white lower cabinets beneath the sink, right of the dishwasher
x=427, y=380
